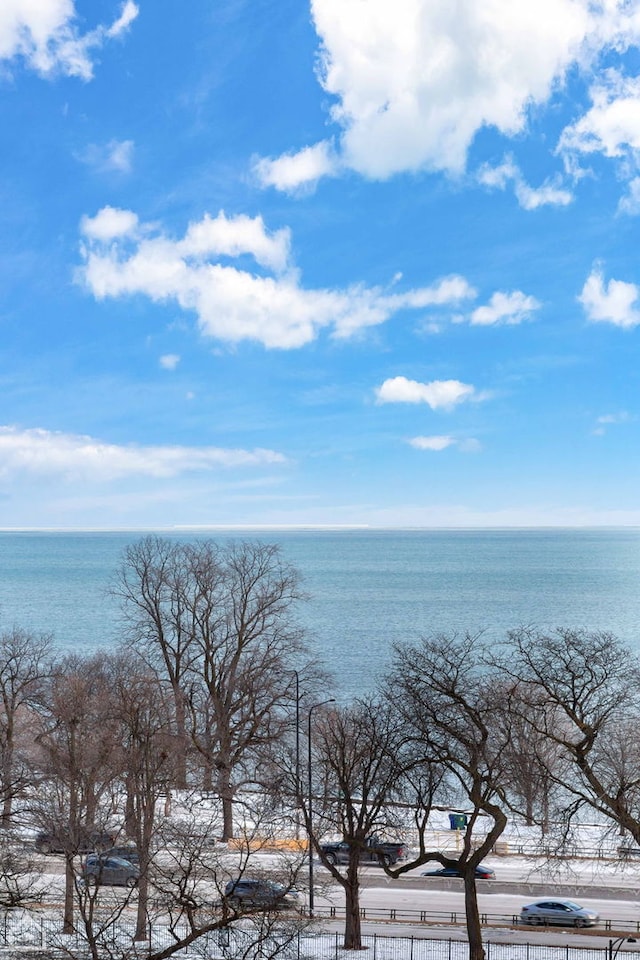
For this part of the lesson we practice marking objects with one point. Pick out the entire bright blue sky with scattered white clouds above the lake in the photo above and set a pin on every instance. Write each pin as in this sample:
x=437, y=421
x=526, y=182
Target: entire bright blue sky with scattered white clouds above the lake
x=354, y=262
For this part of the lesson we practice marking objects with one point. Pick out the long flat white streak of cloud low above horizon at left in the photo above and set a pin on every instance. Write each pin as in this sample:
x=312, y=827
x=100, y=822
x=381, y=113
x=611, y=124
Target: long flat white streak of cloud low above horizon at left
x=45, y=453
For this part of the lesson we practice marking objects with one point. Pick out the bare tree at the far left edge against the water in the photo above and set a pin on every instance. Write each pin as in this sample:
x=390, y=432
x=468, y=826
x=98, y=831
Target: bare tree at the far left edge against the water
x=25, y=661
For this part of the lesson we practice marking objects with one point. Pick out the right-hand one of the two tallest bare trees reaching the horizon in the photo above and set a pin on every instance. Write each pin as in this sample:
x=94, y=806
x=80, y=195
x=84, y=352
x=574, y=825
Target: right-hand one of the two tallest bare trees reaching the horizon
x=247, y=641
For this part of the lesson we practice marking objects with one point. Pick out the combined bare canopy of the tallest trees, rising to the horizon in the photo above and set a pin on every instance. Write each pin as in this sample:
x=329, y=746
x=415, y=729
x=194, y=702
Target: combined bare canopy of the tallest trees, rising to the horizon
x=218, y=622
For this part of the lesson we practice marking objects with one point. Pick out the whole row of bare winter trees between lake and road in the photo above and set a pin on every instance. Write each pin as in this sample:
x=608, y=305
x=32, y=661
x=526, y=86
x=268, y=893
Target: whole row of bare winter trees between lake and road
x=211, y=697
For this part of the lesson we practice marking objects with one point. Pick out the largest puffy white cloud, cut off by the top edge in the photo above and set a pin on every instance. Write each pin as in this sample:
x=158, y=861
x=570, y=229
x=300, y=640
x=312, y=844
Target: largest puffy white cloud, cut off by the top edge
x=414, y=81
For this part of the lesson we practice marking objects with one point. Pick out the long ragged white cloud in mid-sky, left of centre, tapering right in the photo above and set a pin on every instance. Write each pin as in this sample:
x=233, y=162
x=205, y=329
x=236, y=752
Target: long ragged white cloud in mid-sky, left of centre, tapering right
x=123, y=257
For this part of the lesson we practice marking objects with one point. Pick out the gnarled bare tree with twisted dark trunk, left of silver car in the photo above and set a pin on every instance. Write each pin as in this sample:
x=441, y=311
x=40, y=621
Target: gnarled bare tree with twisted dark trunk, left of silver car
x=447, y=698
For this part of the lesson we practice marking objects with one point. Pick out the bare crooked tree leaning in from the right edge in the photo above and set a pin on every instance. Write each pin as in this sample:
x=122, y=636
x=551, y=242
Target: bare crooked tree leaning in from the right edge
x=579, y=693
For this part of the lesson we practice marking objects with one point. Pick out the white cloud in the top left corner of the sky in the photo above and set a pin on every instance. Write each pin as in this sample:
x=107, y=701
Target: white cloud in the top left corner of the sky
x=44, y=34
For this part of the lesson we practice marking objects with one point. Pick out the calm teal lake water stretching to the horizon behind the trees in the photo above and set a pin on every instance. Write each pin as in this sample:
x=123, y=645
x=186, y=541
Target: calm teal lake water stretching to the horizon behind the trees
x=368, y=588
